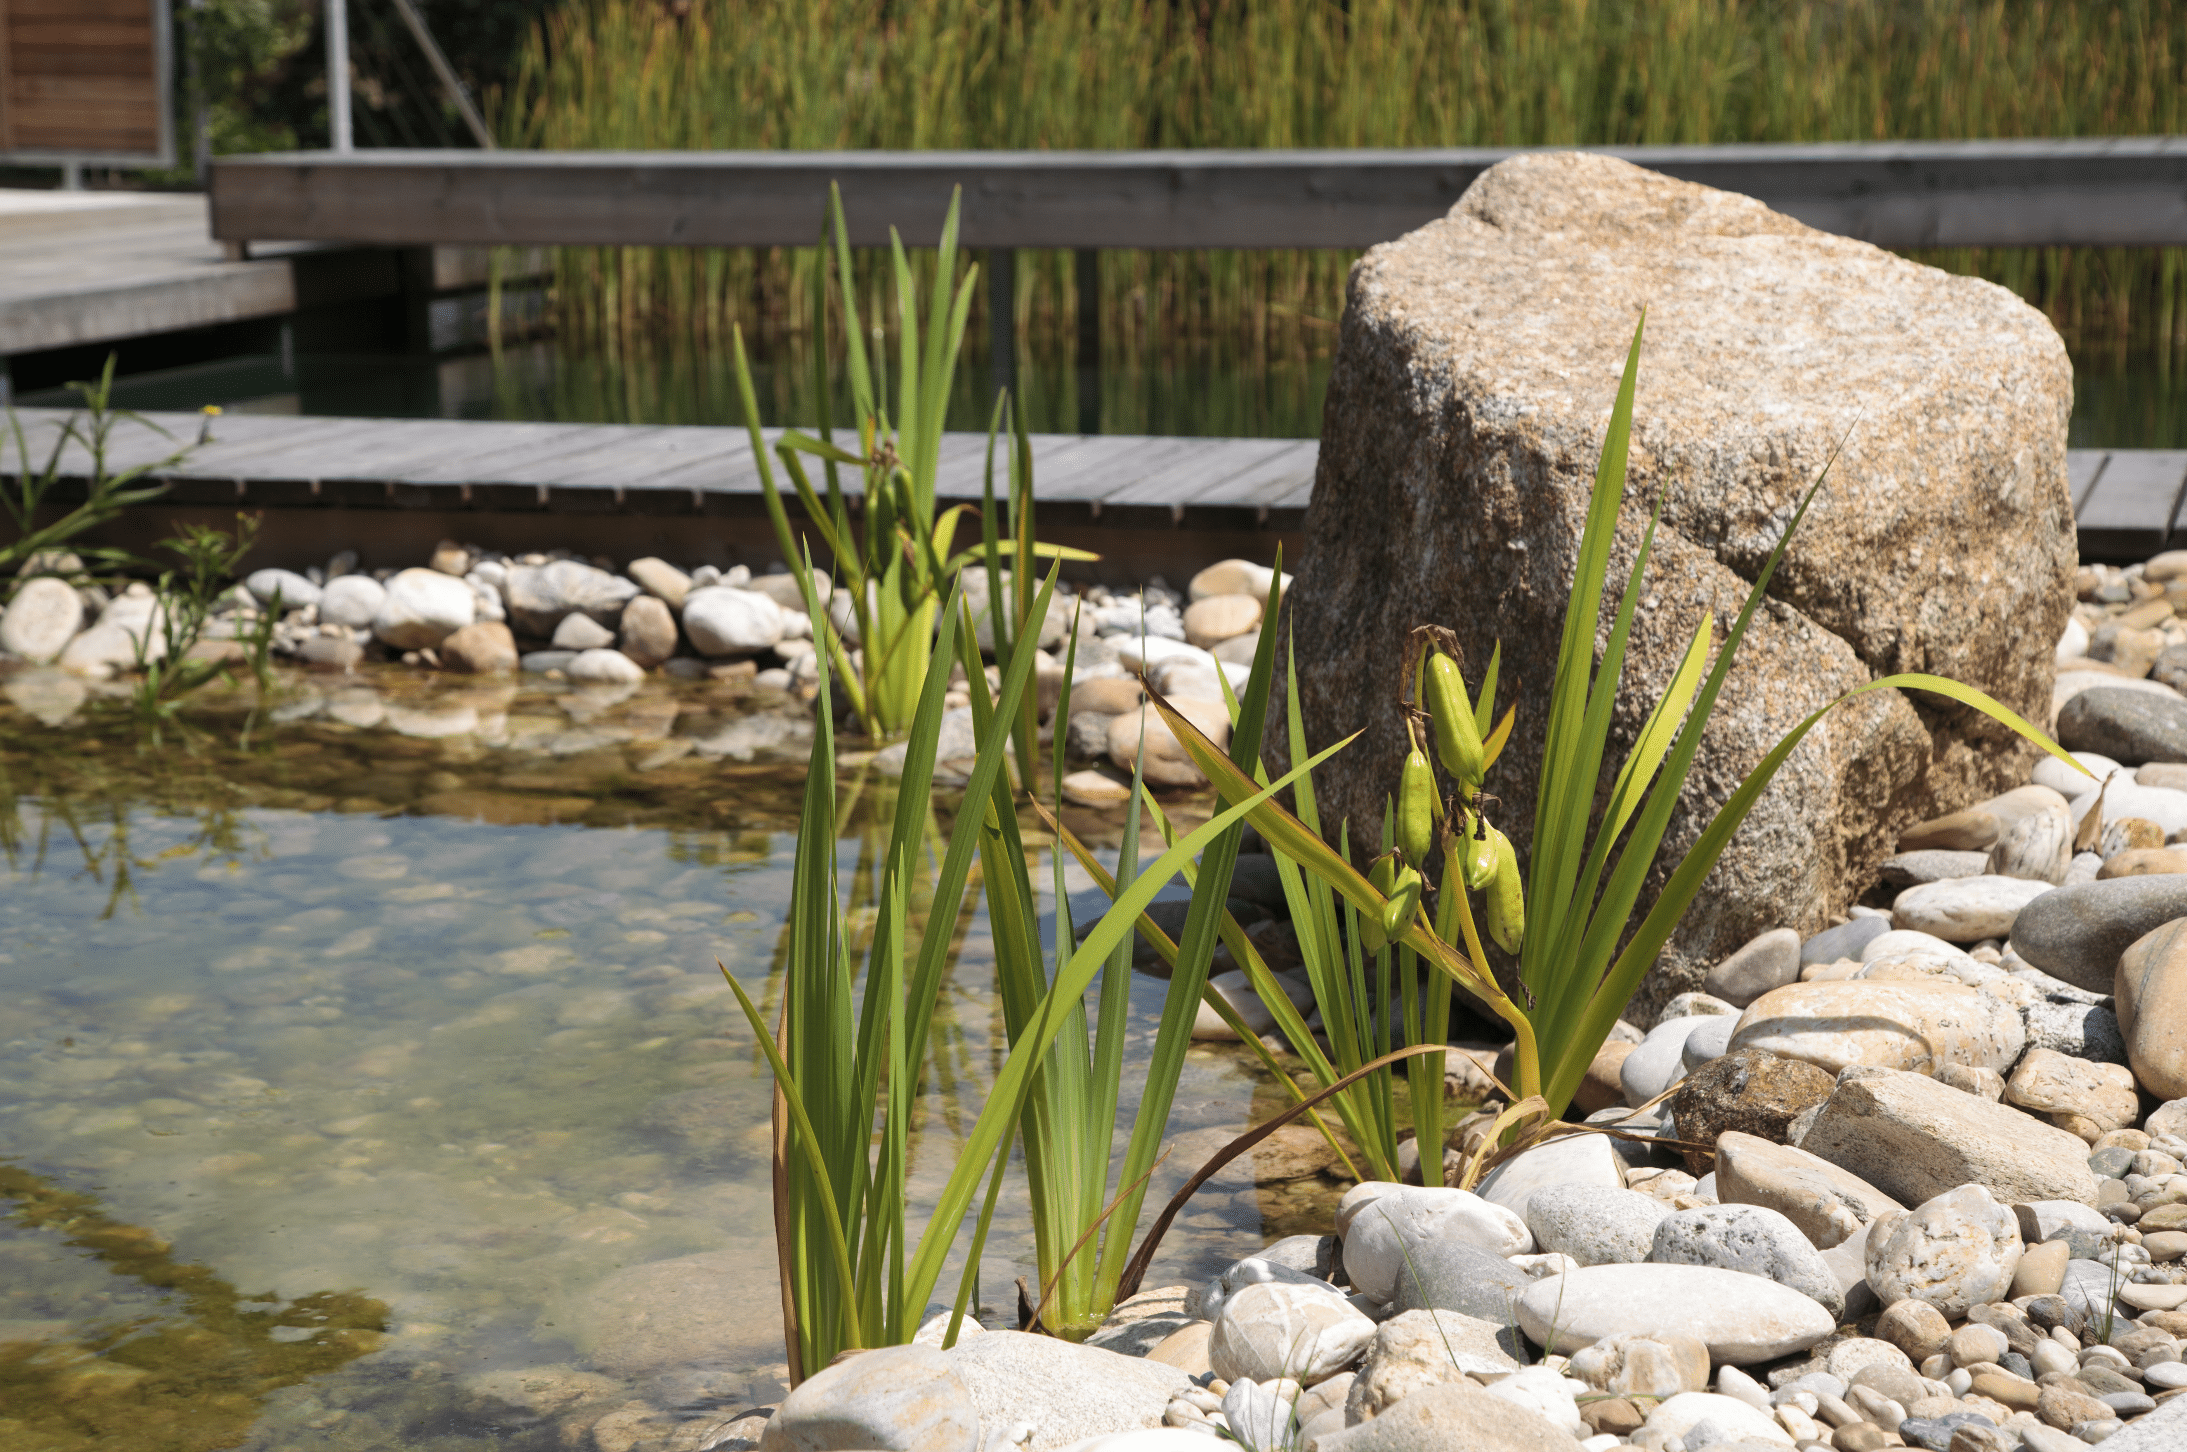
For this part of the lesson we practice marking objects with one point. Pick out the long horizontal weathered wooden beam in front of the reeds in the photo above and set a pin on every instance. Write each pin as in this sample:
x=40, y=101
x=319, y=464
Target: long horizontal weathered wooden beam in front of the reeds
x=2074, y=194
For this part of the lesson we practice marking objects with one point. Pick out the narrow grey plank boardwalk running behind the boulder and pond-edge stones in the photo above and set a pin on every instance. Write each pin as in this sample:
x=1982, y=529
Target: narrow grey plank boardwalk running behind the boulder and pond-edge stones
x=2129, y=504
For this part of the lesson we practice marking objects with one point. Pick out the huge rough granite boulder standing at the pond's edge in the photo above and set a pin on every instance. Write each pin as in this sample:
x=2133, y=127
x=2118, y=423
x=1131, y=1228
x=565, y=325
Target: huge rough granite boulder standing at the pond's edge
x=1466, y=410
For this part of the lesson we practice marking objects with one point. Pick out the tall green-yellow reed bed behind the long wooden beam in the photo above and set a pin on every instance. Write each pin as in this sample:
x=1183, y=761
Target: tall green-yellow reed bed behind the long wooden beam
x=1313, y=73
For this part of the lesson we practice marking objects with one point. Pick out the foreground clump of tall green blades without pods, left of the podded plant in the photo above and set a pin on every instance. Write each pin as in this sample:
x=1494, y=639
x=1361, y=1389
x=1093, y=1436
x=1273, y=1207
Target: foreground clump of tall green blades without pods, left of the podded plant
x=852, y=1040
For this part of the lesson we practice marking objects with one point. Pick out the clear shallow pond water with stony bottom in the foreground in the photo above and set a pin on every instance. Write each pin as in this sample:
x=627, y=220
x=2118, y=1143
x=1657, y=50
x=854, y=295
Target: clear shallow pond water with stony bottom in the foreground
x=373, y=1081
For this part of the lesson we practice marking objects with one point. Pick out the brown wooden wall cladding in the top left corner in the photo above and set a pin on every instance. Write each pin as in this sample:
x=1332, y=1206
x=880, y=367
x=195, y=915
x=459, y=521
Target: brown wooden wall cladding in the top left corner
x=86, y=80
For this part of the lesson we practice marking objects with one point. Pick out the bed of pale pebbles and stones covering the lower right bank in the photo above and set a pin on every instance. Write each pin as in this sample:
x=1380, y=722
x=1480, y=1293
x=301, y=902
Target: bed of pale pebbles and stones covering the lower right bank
x=1917, y=1180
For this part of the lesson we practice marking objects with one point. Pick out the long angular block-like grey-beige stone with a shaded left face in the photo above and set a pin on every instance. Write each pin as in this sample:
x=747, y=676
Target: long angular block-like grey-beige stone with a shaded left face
x=1915, y=1138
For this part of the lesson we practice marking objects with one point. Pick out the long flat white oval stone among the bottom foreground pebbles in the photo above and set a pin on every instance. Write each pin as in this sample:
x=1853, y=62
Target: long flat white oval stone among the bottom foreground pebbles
x=1744, y=1320
